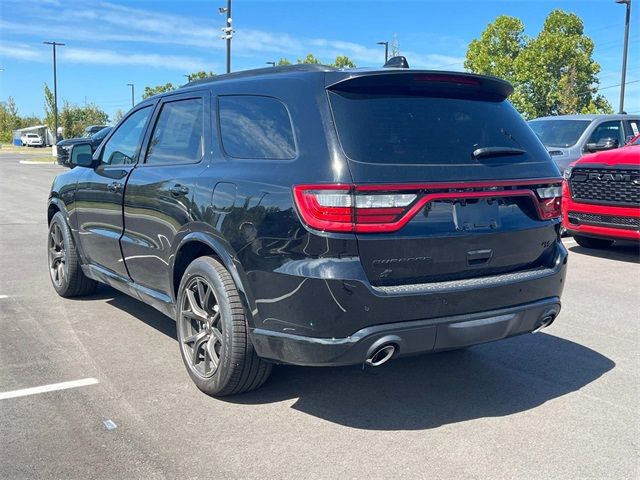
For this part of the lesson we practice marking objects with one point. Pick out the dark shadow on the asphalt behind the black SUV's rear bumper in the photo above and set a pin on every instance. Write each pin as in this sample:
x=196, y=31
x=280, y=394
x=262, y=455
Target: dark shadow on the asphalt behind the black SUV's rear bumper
x=429, y=391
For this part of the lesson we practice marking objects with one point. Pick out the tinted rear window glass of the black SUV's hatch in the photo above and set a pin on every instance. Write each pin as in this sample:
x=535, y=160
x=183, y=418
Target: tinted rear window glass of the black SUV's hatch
x=425, y=130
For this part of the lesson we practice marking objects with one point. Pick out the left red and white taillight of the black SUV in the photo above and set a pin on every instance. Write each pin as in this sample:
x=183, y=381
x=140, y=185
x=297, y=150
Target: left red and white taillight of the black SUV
x=340, y=208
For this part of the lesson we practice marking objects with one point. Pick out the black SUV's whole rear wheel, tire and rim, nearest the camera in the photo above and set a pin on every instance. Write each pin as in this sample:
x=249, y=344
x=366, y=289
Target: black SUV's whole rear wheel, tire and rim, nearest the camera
x=216, y=327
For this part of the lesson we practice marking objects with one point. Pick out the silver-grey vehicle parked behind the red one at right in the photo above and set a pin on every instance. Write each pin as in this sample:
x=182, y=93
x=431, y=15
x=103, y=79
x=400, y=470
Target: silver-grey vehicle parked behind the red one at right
x=568, y=137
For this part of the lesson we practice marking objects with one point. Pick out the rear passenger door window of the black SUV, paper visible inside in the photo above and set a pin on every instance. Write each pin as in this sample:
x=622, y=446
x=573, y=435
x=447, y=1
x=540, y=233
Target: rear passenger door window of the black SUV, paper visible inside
x=178, y=135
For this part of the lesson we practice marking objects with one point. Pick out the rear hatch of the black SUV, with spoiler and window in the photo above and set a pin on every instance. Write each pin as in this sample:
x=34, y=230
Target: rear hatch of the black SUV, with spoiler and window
x=449, y=181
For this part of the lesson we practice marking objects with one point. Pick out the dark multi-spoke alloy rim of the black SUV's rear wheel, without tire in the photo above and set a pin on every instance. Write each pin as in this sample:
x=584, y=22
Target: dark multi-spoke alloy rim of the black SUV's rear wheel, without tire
x=200, y=327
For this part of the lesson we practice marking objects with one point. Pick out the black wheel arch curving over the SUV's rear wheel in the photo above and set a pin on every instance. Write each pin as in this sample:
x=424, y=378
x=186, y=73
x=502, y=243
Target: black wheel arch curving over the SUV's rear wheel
x=198, y=244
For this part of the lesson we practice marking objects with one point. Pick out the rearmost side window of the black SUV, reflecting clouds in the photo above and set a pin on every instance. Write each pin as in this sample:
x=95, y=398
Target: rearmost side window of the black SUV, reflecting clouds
x=255, y=127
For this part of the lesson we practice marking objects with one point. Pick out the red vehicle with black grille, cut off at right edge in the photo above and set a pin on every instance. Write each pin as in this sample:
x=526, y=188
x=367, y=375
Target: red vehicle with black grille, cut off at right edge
x=601, y=197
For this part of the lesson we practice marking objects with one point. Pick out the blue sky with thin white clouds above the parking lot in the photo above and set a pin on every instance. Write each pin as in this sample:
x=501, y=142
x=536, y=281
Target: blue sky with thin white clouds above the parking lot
x=110, y=44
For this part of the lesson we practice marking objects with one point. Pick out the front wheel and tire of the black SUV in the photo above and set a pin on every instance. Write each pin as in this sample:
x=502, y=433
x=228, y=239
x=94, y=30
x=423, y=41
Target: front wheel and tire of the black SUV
x=65, y=272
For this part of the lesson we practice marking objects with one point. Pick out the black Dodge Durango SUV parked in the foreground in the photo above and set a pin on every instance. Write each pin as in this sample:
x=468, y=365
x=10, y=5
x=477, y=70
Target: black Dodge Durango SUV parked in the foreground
x=317, y=216
